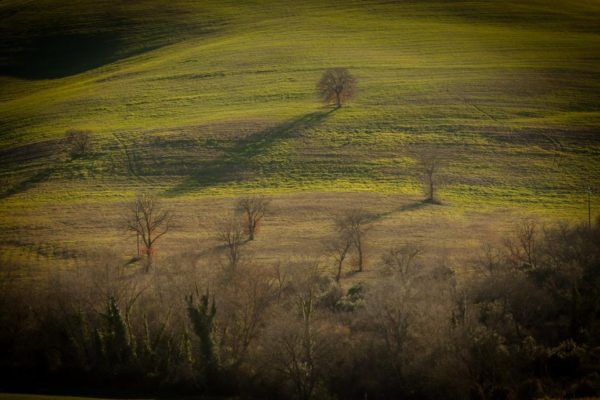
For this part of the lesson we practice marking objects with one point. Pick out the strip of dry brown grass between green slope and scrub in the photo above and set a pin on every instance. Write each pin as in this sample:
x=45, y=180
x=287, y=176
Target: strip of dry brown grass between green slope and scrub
x=297, y=226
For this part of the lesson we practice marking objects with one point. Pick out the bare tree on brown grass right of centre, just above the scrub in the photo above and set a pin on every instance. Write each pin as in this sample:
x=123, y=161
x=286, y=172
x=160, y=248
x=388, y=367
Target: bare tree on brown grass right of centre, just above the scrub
x=354, y=225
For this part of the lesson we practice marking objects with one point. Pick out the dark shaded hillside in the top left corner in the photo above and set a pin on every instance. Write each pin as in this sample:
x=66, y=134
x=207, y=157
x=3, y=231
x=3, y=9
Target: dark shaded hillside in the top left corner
x=52, y=39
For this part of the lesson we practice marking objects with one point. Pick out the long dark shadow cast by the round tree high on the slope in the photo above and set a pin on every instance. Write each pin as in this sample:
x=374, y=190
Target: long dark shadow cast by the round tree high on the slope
x=241, y=159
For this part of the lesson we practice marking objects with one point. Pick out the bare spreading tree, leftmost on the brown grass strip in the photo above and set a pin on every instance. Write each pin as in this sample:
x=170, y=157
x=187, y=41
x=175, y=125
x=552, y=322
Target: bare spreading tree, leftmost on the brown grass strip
x=150, y=222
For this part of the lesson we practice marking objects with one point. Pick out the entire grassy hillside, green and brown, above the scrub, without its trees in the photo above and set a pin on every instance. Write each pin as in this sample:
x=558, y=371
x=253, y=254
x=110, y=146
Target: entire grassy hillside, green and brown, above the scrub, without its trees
x=203, y=101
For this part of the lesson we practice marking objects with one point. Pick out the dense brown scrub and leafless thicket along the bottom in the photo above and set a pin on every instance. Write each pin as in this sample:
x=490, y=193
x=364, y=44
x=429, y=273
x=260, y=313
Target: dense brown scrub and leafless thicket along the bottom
x=523, y=325
